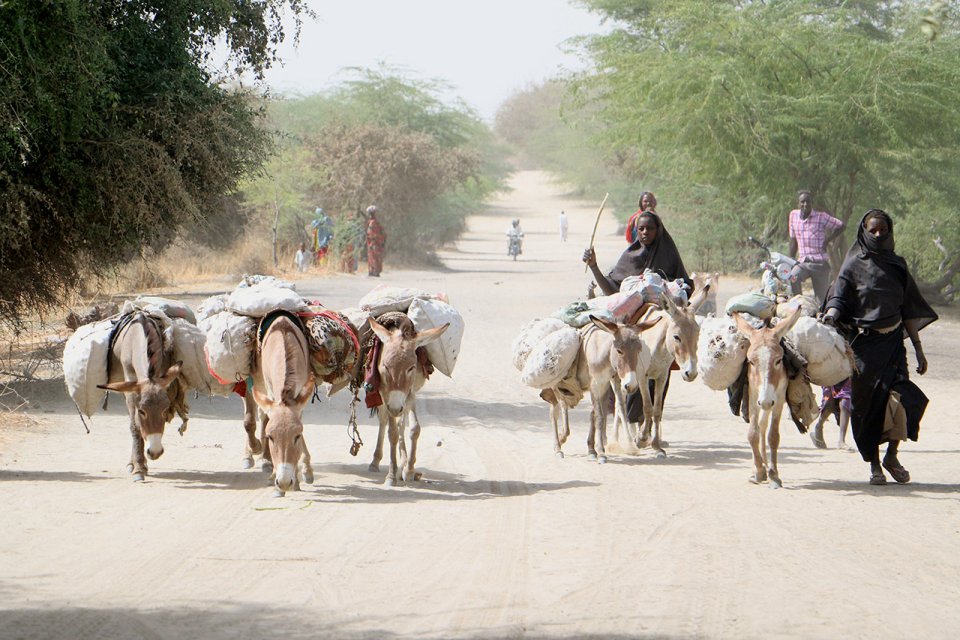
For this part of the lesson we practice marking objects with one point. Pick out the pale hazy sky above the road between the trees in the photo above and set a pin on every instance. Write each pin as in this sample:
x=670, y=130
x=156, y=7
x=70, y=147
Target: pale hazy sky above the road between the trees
x=485, y=49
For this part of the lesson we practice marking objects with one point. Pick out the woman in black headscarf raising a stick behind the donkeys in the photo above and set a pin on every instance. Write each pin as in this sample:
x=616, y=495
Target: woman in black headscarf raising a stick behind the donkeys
x=653, y=249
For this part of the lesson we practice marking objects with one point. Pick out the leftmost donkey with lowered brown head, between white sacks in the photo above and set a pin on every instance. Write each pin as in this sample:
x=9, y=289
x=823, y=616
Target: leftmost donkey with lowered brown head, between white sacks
x=141, y=370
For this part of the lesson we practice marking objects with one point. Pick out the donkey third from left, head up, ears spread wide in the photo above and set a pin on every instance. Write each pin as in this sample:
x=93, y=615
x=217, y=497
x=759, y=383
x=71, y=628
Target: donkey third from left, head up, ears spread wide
x=400, y=379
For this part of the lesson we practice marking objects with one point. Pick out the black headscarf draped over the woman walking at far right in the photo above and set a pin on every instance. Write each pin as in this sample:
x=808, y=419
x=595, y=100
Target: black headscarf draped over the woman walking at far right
x=874, y=288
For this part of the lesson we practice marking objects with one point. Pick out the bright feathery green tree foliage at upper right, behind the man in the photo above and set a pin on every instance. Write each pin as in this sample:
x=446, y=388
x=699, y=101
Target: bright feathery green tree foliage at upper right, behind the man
x=738, y=104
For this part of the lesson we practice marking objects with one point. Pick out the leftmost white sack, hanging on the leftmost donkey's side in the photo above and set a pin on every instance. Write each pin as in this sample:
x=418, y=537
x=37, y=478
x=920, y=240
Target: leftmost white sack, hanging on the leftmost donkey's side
x=85, y=365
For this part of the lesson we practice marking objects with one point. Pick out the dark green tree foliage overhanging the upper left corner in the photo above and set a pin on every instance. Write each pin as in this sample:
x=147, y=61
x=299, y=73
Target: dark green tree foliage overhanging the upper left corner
x=114, y=135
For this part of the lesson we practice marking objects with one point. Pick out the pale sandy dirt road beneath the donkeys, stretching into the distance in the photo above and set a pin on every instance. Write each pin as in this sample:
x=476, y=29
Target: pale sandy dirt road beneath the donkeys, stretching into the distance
x=501, y=540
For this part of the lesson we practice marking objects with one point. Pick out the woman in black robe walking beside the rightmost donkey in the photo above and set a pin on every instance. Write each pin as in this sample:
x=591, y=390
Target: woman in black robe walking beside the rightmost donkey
x=875, y=302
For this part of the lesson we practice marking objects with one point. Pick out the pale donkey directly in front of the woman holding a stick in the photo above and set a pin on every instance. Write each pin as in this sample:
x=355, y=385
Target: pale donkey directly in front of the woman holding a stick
x=674, y=340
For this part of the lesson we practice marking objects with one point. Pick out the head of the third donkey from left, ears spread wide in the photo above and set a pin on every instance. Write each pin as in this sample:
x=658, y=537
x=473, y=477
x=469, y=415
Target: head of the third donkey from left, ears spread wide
x=398, y=362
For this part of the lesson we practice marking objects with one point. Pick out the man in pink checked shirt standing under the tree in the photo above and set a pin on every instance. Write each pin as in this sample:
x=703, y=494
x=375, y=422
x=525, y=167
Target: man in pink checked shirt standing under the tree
x=811, y=233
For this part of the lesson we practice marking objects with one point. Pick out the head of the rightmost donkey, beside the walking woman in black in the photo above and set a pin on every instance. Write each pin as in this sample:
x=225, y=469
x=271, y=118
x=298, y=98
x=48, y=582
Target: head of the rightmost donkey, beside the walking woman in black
x=766, y=373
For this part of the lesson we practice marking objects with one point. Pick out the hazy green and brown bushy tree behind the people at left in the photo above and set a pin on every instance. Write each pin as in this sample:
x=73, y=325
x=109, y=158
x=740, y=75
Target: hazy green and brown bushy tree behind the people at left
x=380, y=138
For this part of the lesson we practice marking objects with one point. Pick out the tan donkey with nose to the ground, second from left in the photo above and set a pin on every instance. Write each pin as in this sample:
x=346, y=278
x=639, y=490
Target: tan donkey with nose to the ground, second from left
x=282, y=385
